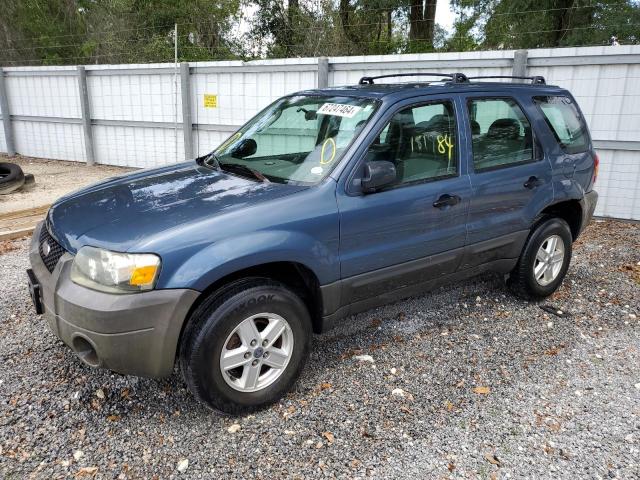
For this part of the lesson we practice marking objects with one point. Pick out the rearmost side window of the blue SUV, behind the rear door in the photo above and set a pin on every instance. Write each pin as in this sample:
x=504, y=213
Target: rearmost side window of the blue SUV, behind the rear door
x=565, y=122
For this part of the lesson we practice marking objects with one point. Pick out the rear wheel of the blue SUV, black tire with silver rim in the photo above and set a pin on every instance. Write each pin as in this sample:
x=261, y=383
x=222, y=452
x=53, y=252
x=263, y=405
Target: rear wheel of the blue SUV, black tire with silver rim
x=525, y=279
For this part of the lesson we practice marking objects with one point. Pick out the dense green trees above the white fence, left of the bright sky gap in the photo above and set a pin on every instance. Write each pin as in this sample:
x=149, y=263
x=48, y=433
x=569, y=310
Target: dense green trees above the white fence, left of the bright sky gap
x=115, y=31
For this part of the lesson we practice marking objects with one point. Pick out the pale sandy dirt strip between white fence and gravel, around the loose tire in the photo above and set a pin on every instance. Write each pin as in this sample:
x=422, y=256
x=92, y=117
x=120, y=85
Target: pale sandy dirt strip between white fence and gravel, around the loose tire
x=54, y=178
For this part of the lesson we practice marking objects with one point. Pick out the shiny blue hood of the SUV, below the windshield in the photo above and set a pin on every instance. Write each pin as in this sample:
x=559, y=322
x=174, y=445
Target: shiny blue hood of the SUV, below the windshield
x=119, y=213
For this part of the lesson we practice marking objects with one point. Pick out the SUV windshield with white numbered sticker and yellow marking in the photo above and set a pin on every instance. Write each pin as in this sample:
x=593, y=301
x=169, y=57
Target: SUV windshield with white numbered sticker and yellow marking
x=297, y=139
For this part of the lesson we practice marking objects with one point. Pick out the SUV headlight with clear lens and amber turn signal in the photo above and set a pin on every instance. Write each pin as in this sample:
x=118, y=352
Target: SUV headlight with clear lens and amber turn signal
x=114, y=272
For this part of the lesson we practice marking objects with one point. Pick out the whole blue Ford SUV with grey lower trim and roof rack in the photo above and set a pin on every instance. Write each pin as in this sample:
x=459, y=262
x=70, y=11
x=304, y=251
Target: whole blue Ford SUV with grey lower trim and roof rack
x=327, y=203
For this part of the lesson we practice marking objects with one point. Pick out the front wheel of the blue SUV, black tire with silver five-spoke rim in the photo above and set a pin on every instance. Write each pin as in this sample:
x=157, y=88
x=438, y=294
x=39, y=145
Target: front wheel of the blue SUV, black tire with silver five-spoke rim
x=213, y=328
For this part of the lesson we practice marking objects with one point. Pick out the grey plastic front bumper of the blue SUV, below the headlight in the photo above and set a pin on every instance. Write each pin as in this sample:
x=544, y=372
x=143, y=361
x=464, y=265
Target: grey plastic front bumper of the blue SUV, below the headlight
x=134, y=334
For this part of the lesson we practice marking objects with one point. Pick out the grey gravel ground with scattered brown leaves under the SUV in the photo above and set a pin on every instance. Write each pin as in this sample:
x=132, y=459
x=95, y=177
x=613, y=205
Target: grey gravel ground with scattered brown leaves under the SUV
x=466, y=382
